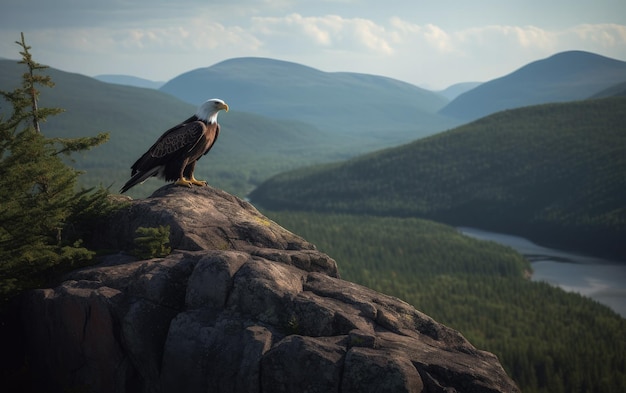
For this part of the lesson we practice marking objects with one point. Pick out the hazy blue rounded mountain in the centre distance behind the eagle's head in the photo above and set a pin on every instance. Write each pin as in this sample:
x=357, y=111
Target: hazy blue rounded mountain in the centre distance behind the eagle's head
x=370, y=106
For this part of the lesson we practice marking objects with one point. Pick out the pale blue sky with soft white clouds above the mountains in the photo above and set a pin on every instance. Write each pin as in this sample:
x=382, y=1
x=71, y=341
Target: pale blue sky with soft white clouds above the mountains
x=432, y=43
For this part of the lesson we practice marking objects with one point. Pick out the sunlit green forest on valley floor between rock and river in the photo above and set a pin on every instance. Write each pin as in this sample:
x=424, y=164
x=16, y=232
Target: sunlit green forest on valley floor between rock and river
x=548, y=340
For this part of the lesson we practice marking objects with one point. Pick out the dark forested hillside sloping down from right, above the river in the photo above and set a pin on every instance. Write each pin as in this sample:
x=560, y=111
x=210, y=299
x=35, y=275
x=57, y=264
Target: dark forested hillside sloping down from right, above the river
x=553, y=173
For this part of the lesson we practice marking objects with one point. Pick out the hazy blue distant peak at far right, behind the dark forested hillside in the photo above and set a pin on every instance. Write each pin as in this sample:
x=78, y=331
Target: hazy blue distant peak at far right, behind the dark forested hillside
x=566, y=76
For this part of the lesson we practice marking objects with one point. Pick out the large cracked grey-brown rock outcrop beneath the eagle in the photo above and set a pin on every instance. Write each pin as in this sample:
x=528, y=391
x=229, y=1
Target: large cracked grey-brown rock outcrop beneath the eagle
x=241, y=305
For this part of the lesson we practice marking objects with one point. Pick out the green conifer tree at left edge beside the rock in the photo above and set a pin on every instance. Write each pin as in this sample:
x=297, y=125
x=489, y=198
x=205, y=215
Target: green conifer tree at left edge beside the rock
x=38, y=197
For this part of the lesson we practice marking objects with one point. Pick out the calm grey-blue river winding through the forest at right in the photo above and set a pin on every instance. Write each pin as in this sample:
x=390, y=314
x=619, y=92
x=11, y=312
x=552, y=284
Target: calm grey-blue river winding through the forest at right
x=600, y=279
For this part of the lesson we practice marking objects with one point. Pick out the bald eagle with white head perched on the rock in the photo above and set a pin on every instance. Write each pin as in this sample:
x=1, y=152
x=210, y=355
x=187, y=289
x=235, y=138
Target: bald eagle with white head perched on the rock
x=174, y=155
